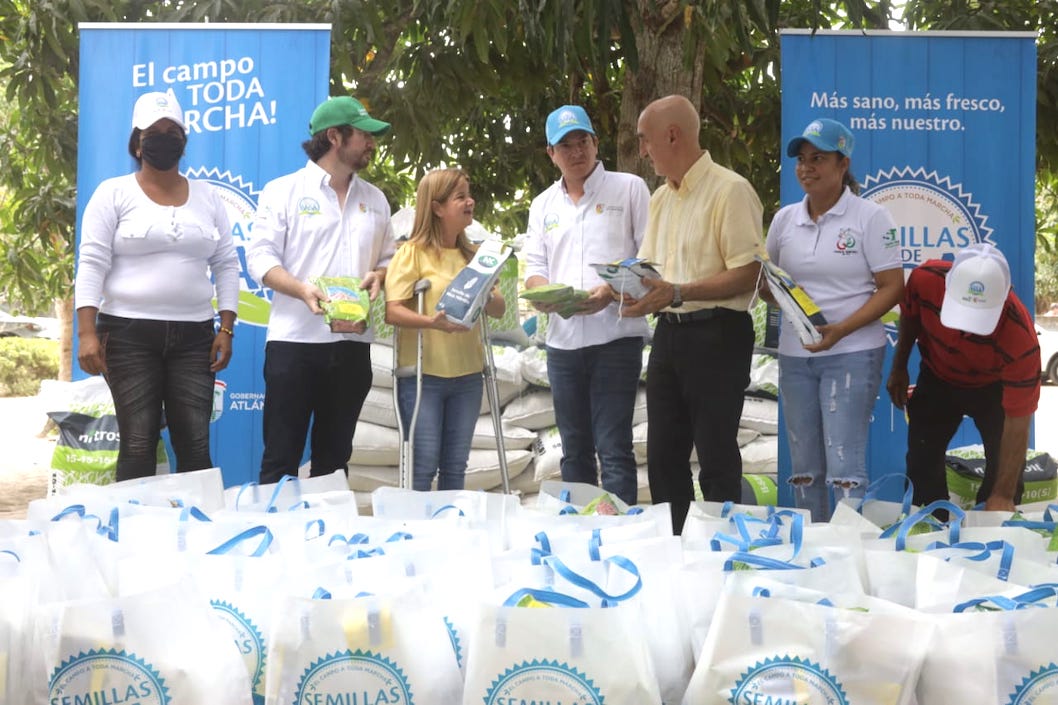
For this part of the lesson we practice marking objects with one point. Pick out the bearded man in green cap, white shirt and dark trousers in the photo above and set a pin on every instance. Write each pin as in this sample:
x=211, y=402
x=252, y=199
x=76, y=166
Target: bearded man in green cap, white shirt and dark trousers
x=322, y=221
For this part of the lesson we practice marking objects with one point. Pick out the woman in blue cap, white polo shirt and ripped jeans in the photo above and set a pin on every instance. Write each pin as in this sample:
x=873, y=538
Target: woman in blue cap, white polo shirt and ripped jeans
x=845, y=251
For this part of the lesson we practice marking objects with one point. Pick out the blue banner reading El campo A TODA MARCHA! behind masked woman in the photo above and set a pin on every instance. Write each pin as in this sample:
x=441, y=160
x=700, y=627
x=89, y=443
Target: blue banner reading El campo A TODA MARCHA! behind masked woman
x=247, y=92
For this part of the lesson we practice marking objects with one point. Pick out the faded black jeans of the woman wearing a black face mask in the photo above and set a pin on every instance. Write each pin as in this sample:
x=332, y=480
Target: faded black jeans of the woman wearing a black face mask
x=154, y=366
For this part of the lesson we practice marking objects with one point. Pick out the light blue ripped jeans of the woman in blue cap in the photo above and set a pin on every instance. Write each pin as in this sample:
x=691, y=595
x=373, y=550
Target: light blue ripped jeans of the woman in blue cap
x=828, y=401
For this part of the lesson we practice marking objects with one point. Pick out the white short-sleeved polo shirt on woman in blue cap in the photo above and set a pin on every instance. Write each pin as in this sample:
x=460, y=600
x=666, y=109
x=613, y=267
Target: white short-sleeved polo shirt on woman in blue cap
x=835, y=261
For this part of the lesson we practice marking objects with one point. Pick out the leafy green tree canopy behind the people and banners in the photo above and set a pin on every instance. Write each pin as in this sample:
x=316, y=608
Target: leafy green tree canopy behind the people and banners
x=468, y=83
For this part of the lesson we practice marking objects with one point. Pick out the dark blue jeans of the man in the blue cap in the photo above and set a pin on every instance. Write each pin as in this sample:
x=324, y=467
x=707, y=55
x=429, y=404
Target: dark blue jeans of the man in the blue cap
x=595, y=389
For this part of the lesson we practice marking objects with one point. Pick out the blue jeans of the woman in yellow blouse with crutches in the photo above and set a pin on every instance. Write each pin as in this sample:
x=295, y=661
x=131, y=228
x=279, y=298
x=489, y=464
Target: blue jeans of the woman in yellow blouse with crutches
x=445, y=429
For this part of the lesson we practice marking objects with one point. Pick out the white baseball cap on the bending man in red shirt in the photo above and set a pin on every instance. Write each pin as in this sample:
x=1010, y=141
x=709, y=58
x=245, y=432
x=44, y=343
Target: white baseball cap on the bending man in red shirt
x=976, y=291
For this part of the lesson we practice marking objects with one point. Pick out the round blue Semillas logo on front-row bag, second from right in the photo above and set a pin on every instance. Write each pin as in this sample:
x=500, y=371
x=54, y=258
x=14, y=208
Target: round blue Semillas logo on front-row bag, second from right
x=787, y=680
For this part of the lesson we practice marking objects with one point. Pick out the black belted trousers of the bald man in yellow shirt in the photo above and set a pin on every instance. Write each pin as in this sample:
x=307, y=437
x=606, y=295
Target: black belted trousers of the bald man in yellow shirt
x=697, y=378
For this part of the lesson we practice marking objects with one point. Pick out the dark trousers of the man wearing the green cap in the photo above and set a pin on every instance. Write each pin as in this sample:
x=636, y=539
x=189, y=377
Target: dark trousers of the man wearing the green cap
x=322, y=383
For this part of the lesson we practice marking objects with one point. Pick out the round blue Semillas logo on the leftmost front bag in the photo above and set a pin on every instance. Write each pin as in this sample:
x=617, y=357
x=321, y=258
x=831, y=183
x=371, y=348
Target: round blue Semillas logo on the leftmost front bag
x=107, y=676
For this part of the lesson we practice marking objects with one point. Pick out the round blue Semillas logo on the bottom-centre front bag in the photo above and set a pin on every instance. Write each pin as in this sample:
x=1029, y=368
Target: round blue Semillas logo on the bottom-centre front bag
x=543, y=682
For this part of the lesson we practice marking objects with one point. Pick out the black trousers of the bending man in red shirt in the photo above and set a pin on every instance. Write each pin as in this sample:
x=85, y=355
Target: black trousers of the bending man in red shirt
x=935, y=412
